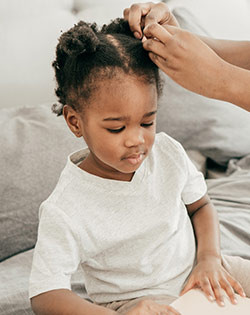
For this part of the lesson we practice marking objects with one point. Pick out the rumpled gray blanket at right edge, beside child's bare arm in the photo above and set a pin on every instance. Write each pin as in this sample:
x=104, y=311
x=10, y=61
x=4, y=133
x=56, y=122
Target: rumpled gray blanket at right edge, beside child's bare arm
x=231, y=197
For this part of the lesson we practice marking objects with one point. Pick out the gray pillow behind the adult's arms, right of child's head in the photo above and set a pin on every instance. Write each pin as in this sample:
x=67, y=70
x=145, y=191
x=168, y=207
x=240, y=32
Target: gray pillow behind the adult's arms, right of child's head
x=217, y=129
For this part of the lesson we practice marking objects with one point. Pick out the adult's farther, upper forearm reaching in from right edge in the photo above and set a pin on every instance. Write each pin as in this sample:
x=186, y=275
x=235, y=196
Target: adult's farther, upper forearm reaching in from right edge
x=234, y=52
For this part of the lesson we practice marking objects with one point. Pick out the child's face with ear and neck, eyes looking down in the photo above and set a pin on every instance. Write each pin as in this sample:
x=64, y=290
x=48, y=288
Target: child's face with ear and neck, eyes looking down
x=118, y=126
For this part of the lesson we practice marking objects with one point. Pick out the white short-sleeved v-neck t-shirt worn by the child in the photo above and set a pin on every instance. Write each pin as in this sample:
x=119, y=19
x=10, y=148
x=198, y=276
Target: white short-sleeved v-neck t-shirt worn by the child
x=131, y=238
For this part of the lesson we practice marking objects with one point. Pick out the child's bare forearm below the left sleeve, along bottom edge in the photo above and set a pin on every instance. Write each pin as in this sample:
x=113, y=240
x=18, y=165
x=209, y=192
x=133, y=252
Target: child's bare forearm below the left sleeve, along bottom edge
x=65, y=302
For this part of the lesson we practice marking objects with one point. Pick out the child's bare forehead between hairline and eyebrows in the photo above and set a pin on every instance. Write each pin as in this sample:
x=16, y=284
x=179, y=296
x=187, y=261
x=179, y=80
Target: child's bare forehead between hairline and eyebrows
x=125, y=95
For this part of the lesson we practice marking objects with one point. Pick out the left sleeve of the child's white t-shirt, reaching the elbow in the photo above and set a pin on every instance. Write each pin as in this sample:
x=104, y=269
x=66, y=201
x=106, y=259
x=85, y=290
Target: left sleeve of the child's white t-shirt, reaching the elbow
x=57, y=255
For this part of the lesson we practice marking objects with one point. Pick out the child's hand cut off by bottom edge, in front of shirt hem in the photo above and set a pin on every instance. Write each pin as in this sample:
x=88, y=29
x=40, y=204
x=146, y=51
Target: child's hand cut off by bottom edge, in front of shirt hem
x=149, y=307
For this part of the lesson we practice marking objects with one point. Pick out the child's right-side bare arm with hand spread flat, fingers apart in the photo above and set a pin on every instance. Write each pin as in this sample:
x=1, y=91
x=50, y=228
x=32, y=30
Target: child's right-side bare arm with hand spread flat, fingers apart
x=208, y=274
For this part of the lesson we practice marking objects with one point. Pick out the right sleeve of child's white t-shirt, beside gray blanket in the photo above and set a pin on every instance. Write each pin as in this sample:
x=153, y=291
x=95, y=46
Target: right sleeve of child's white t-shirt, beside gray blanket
x=195, y=187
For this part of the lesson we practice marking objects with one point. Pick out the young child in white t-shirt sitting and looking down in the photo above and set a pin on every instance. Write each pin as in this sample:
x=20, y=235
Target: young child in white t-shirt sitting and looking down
x=122, y=207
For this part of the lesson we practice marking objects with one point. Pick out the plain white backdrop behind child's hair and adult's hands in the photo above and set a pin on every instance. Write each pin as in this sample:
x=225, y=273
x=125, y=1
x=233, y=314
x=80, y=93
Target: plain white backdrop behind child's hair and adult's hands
x=29, y=30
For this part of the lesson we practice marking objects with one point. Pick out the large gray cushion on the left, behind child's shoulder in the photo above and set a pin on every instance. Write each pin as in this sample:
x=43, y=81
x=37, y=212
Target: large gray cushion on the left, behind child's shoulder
x=34, y=147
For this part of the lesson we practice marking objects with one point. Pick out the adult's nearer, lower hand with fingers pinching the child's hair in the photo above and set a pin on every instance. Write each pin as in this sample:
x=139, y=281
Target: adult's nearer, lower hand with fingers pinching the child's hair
x=186, y=59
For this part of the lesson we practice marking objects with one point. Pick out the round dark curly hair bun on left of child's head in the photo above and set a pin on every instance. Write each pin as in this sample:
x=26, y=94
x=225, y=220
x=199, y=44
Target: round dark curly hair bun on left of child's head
x=79, y=39
